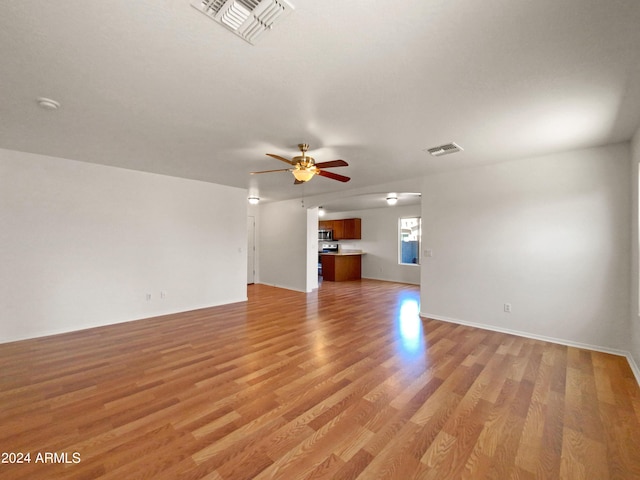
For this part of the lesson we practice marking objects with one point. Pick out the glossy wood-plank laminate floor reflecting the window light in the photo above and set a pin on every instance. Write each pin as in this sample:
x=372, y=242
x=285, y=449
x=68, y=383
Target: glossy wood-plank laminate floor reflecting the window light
x=344, y=383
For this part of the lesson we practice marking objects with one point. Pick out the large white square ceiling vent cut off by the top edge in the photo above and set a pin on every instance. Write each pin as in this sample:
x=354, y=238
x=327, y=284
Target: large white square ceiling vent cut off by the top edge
x=246, y=18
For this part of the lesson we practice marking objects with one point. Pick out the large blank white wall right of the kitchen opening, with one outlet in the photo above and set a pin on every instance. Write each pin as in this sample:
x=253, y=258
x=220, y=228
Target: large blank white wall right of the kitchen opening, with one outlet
x=549, y=235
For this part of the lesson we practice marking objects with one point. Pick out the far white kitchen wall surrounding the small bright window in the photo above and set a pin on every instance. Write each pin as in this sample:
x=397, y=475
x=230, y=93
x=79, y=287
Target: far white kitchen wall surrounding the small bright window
x=380, y=243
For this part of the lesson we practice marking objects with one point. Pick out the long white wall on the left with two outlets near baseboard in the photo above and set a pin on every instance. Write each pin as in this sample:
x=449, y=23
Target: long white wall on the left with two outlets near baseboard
x=81, y=245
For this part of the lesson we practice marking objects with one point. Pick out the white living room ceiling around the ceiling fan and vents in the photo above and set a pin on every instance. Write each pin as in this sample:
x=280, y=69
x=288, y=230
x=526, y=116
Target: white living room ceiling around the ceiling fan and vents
x=154, y=85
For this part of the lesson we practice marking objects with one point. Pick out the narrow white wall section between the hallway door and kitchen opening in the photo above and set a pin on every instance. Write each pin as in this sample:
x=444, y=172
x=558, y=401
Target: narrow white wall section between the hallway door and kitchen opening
x=283, y=244
